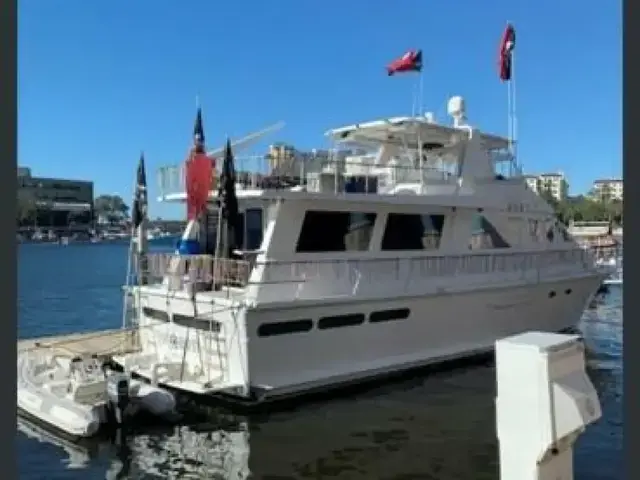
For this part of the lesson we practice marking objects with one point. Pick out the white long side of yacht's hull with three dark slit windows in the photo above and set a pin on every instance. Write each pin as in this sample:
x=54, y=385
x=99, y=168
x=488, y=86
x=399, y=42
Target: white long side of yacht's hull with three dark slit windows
x=439, y=328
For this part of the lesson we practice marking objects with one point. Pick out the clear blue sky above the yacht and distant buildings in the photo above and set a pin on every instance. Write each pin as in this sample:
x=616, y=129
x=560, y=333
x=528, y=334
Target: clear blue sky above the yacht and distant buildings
x=100, y=81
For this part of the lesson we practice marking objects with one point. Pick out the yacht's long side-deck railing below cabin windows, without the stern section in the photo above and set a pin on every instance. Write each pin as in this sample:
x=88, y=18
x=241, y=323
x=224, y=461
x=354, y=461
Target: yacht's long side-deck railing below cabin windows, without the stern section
x=375, y=278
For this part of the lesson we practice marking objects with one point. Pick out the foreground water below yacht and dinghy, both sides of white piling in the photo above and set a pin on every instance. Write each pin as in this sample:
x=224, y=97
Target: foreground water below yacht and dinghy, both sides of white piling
x=440, y=426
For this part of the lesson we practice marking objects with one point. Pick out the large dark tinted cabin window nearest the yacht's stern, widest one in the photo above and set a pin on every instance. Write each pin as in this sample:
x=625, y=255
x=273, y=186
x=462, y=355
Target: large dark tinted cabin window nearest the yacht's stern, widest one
x=324, y=231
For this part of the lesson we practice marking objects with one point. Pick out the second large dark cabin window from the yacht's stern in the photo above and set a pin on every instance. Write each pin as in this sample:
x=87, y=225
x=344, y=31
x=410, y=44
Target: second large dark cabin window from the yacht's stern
x=412, y=232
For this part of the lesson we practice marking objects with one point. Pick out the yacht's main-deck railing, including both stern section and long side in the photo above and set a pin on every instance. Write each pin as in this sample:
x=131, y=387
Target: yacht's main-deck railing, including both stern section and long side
x=290, y=280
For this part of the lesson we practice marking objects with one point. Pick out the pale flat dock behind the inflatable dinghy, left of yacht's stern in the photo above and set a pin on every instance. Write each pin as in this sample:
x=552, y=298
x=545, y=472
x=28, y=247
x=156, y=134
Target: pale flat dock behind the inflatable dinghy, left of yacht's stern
x=101, y=342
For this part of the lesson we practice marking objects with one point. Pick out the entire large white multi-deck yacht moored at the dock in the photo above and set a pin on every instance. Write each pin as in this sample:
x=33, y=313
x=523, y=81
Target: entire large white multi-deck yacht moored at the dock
x=421, y=244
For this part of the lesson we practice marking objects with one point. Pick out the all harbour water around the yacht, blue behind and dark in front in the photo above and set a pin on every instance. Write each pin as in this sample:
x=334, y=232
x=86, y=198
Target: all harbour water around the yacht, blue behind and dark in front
x=440, y=426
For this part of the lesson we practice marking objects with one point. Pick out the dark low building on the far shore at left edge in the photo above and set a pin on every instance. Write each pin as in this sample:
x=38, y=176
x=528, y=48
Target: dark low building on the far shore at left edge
x=54, y=202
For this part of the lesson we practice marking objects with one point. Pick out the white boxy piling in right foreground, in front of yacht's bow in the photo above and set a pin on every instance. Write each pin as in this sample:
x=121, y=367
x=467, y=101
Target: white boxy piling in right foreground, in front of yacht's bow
x=545, y=400
